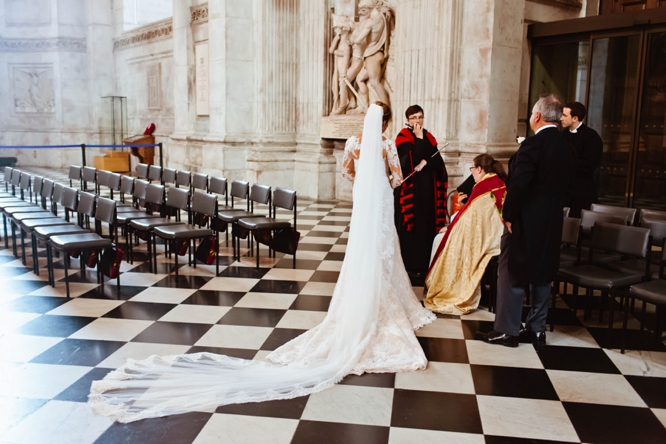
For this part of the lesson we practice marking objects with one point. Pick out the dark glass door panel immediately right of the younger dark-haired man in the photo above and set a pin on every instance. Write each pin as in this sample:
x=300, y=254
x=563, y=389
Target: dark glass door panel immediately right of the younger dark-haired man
x=612, y=105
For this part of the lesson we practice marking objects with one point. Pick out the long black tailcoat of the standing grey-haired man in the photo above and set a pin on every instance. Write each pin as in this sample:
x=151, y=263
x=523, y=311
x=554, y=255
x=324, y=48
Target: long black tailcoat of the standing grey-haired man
x=539, y=175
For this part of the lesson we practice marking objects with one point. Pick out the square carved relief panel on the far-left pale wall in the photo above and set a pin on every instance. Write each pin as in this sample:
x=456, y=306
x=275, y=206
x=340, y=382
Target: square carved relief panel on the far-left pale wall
x=33, y=88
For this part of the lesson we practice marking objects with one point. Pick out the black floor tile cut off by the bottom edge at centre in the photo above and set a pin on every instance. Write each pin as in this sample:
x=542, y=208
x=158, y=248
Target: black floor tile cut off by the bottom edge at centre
x=309, y=432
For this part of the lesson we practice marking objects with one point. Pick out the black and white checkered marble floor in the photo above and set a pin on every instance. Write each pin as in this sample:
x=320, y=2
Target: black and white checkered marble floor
x=578, y=388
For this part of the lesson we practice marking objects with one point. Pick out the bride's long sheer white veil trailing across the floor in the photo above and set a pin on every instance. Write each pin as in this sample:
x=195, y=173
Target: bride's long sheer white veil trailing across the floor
x=159, y=386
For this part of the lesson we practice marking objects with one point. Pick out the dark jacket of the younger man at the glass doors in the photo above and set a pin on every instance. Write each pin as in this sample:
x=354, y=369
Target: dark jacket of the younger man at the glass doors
x=588, y=148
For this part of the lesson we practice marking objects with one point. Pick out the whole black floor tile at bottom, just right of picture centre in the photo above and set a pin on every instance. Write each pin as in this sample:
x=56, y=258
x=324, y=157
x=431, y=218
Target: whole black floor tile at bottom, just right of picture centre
x=436, y=411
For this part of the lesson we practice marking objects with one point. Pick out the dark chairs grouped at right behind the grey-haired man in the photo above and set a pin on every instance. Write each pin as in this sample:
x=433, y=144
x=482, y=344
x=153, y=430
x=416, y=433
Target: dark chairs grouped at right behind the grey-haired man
x=602, y=252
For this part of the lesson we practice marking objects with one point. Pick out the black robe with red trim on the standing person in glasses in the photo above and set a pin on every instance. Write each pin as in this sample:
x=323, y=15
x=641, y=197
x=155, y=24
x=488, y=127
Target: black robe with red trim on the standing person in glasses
x=420, y=202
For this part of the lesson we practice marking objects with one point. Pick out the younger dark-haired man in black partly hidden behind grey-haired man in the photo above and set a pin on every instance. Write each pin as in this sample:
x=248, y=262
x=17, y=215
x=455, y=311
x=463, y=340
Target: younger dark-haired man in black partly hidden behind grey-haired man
x=587, y=144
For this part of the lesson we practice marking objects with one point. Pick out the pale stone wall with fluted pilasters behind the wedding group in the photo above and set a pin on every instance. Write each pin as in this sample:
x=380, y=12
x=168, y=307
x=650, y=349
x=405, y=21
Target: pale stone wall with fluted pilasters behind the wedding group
x=238, y=88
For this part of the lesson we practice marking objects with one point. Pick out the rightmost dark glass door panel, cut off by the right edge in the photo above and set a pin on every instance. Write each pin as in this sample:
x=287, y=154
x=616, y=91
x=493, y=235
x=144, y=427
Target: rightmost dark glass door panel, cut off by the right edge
x=649, y=184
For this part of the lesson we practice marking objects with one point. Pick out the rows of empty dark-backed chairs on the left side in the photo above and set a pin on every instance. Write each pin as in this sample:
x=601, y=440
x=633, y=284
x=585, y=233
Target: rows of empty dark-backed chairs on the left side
x=153, y=213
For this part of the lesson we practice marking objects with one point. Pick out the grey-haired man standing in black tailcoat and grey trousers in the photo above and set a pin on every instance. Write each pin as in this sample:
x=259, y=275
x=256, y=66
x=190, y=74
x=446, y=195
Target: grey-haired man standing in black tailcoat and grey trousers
x=539, y=175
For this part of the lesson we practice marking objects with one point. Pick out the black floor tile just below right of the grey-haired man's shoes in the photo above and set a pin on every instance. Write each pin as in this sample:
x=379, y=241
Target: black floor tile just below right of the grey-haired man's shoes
x=577, y=359
